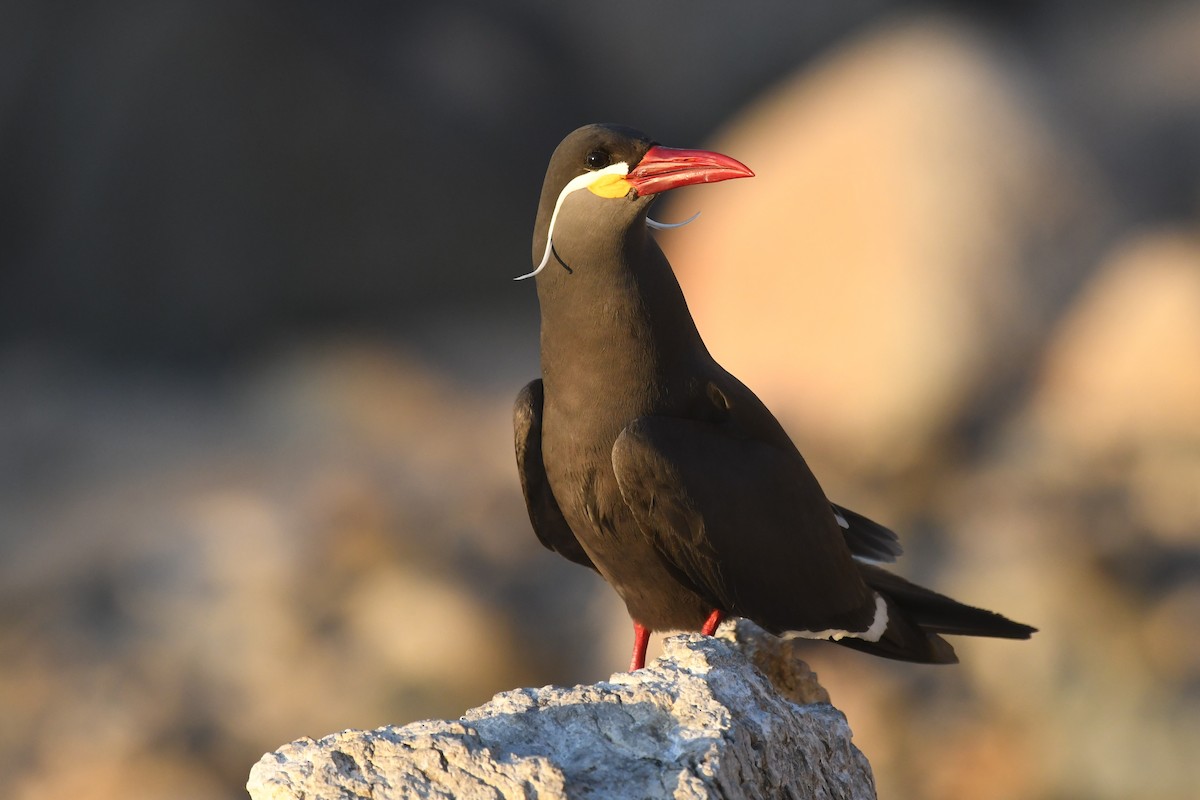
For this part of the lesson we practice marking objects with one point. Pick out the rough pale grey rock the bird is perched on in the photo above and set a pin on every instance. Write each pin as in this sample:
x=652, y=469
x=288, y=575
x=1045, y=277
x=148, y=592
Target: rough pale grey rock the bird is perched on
x=699, y=723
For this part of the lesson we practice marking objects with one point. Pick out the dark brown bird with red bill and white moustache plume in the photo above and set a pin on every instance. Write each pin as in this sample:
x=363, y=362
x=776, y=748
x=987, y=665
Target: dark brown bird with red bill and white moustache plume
x=643, y=459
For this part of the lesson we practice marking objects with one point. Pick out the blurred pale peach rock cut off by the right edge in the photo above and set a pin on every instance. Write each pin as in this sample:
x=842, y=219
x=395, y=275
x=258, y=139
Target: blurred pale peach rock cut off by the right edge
x=1117, y=402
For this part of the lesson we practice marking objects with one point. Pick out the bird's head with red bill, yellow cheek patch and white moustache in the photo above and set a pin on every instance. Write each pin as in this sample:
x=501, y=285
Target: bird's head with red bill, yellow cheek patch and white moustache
x=602, y=182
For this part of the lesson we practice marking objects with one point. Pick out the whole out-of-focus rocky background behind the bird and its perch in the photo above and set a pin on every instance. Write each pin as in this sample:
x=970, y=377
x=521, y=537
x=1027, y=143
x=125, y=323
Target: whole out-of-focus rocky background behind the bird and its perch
x=260, y=344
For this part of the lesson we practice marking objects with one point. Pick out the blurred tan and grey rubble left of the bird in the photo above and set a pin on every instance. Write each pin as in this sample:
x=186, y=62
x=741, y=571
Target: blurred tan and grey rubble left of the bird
x=338, y=519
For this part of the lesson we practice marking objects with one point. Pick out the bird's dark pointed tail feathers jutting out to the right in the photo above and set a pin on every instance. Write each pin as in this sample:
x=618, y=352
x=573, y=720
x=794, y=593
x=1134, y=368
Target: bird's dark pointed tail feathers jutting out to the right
x=917, y=616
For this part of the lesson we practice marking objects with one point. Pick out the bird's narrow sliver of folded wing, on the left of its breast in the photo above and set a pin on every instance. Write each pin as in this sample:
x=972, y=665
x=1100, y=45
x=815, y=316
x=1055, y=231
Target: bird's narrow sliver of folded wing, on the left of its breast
x=544, y=513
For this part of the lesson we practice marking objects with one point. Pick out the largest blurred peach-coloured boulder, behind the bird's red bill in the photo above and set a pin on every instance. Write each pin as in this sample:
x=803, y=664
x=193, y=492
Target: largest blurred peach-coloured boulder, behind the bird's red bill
x=914, y=224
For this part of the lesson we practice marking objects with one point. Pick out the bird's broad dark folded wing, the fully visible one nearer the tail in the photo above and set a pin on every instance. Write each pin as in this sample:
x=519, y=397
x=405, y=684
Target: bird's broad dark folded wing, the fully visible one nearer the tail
x=745, y=522
